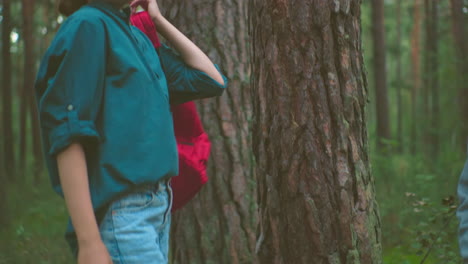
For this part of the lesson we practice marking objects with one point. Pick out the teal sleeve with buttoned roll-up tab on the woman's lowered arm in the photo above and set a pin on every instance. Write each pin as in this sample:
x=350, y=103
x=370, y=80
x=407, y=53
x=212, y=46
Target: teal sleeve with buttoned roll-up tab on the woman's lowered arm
x=70, y=83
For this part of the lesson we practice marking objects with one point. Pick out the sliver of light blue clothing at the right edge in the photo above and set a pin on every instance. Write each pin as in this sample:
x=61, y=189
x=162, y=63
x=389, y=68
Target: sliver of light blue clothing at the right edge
x=462, y=213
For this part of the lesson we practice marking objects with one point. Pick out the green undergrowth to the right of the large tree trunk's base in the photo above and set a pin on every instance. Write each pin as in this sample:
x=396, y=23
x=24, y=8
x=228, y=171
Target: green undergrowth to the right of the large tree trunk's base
x=417, y=207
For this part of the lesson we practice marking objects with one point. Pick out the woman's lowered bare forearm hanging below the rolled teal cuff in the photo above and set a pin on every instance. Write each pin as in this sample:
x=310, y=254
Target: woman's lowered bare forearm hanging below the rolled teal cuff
x=73, y=175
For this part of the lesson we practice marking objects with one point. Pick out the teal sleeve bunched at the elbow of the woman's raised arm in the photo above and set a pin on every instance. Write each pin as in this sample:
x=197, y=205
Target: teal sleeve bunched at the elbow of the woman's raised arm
x=186, y=83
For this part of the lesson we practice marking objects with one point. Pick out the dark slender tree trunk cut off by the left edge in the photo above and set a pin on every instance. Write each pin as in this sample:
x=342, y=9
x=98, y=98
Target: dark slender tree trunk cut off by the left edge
x=6, y=171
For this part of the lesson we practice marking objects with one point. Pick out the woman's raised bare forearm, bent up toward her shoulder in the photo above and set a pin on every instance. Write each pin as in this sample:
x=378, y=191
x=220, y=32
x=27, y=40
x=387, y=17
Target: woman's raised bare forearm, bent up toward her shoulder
x=190, y=53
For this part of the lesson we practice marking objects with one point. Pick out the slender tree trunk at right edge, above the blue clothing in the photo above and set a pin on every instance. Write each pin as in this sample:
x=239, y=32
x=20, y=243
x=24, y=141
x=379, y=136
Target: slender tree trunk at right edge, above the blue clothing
x=461, y=45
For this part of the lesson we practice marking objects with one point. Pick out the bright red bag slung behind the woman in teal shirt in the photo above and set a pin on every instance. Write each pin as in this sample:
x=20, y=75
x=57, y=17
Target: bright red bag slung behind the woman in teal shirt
x=192, y=141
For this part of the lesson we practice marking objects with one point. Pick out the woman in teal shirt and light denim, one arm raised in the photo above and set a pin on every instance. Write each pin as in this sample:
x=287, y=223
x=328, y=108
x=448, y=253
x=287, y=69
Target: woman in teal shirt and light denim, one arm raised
x=104, y=96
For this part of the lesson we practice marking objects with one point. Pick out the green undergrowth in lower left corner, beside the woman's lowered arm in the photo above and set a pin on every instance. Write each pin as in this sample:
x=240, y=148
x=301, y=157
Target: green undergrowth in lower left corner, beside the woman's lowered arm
x=36, y=231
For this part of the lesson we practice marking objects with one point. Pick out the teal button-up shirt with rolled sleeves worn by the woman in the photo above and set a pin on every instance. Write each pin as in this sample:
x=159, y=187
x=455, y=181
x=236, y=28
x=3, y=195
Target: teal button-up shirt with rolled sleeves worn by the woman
x=103, y=84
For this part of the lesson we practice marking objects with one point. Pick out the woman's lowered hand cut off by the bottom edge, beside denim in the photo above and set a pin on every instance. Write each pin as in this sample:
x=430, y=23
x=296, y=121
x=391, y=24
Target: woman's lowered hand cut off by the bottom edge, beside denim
x=93, y=253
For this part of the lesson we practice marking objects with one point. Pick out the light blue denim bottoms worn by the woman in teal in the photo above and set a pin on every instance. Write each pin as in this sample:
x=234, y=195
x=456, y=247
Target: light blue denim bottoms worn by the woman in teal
x=136, y=227
